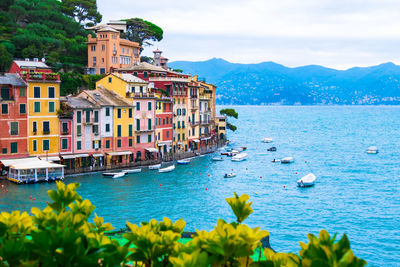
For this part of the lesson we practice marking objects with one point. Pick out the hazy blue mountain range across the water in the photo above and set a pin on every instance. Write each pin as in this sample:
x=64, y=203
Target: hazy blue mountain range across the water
x=271, y=83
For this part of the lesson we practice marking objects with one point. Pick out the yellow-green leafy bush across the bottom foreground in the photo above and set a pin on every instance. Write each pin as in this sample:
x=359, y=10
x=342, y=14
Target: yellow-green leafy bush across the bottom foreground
x=61, y=235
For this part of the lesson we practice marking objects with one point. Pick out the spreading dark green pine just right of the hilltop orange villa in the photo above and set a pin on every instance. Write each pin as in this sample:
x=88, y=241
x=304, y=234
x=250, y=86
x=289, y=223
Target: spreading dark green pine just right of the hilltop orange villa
x=142, y=31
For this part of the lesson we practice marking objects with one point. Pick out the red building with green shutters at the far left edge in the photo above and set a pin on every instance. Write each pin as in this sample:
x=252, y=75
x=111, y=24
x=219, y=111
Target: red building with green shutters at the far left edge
x=13, y=117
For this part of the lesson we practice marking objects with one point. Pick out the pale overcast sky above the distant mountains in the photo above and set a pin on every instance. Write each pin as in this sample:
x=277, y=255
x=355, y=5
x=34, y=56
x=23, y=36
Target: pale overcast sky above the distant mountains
x=333, y=33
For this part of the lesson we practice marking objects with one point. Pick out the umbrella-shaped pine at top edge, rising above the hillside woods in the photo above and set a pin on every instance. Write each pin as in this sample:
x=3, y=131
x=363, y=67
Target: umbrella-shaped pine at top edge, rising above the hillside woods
x=82, y=11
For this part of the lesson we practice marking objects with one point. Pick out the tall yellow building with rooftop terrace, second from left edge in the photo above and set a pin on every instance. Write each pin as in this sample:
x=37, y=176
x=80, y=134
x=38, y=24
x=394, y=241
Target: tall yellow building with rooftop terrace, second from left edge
x=43, y=123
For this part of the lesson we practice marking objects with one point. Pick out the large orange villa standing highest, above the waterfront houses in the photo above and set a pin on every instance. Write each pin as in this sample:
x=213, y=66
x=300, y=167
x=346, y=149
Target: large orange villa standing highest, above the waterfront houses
x=107, y=51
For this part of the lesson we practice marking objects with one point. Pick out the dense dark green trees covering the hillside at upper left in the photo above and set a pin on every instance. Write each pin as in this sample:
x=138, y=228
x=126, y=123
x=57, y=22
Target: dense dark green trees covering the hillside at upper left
x=39, y=28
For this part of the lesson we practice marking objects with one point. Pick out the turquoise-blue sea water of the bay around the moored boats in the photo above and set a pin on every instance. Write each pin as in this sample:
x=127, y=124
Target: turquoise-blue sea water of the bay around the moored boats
x=356, y=193
